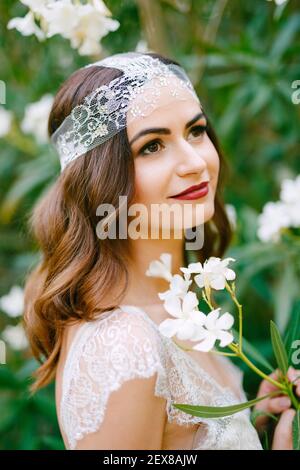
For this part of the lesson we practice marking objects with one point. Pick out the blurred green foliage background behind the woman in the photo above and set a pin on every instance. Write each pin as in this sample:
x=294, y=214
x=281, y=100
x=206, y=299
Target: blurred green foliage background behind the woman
x=242, y=57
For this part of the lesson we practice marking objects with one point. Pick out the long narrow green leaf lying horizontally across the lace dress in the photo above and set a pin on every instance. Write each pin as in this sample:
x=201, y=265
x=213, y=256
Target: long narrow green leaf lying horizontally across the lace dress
x=220, y=411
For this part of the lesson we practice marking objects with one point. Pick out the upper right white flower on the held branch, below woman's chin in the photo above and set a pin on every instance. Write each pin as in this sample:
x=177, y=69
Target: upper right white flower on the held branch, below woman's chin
x=213, y=273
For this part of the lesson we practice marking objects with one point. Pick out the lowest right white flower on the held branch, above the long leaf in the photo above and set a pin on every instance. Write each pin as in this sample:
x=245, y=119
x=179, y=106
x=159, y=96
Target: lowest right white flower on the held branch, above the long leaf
x=213, y=329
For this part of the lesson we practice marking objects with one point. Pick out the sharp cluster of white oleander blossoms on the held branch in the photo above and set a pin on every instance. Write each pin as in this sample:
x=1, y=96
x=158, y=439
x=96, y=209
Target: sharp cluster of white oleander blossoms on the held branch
x=188, y=322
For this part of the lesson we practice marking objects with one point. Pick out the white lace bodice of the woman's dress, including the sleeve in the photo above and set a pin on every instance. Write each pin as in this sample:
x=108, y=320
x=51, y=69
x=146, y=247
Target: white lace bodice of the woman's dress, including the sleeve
x=124, y=344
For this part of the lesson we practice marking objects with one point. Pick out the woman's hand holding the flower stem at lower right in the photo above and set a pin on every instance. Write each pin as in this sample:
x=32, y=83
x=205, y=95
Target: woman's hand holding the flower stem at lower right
x=281, y=404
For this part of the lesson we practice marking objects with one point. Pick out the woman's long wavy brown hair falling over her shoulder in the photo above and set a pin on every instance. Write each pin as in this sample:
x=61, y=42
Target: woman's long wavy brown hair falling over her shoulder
x=77, y=270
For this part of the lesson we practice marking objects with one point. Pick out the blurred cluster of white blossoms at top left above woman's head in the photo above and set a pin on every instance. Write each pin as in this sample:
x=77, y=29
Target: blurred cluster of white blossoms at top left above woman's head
x=83, y=24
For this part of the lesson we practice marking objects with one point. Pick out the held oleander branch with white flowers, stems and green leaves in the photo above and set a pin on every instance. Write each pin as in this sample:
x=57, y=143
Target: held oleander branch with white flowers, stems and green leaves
x=190, y=323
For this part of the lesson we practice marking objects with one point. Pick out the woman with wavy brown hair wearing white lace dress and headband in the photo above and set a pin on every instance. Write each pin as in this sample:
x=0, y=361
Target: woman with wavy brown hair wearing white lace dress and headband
x=131, y=126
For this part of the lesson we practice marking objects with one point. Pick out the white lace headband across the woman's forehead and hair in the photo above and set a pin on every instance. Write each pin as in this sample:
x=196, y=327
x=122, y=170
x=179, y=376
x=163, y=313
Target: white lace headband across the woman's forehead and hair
x=109, y=108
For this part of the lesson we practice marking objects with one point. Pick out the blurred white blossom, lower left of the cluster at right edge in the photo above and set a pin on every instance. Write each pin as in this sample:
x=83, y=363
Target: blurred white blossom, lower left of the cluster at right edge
x=273, y=218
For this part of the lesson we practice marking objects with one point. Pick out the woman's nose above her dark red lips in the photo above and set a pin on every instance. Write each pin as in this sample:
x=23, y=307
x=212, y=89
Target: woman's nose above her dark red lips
x=190, y=159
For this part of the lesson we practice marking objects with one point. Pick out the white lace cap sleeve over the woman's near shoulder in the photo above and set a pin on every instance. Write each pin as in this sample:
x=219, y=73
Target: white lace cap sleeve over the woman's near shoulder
x=110, y=351
